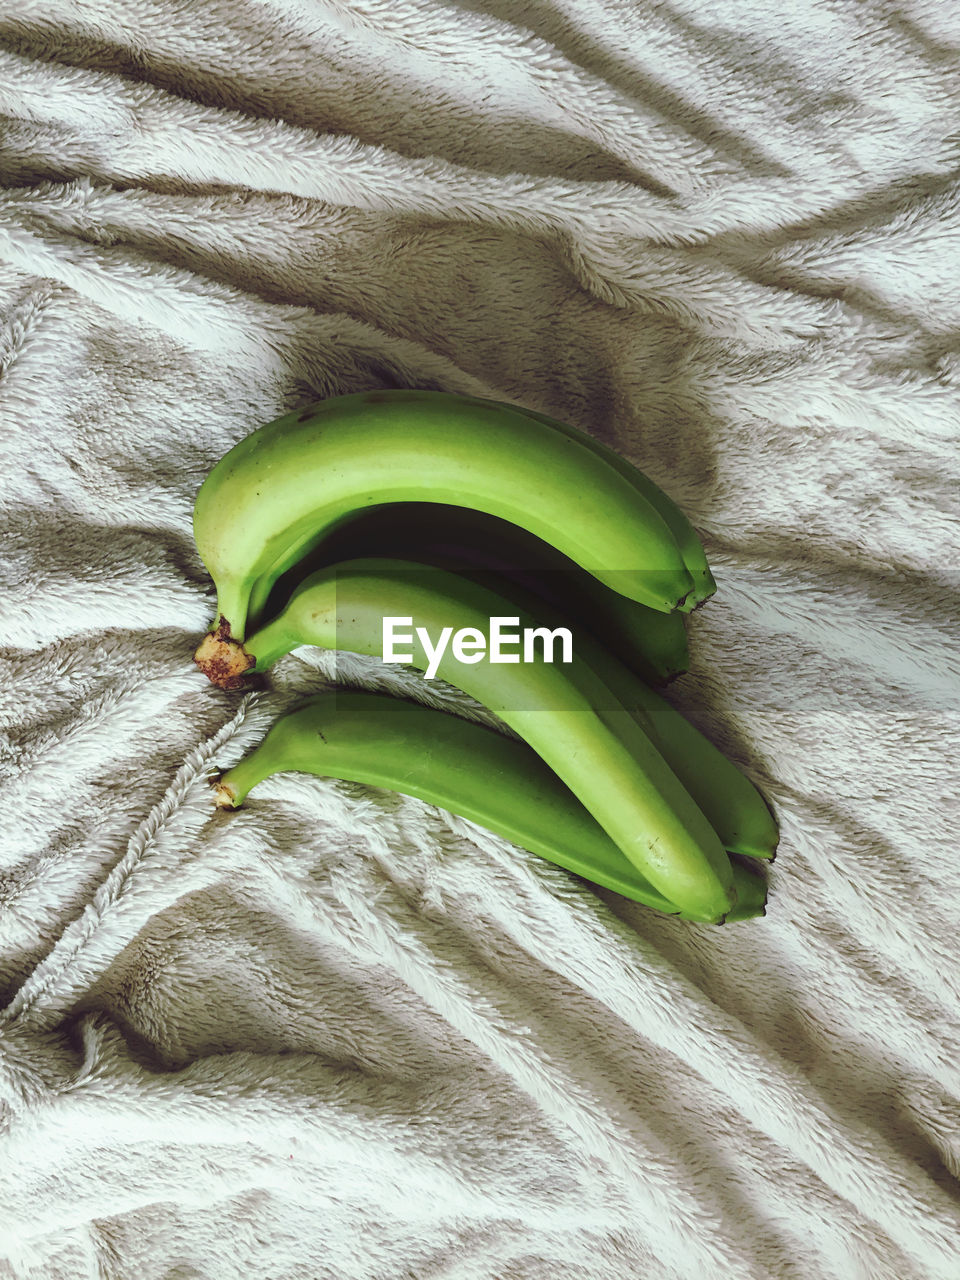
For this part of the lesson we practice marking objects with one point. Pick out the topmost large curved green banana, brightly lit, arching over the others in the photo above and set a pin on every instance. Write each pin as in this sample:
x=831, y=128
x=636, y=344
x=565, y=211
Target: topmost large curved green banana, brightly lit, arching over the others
x=284, y=488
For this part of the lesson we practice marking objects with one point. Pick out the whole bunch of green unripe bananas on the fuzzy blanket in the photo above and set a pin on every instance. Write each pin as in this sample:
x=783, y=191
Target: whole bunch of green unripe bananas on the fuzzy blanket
x=452, y=511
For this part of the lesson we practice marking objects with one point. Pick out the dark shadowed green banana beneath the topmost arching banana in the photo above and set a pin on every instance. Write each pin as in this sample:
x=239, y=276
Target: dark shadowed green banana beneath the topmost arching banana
x=458, y=538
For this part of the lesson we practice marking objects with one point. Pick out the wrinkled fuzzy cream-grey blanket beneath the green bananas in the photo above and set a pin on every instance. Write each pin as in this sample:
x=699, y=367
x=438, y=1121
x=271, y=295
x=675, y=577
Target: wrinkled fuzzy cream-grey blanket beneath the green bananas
x=340, y=1034
